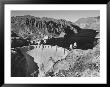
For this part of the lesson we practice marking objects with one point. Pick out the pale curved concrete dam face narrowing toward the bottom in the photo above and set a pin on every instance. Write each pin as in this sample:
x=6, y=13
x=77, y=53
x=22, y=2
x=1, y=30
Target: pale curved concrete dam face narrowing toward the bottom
x=46, y=55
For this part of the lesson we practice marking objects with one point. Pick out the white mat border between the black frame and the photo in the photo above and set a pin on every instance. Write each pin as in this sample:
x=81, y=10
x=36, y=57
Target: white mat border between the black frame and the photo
x=55, y=80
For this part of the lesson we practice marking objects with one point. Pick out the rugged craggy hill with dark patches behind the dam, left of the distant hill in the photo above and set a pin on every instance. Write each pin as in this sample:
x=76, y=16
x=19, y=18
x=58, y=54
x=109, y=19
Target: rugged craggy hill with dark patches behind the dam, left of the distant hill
x=36, y=28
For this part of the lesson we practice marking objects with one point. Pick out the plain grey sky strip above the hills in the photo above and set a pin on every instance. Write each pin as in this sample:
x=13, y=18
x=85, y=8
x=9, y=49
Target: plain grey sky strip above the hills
x=70, y=15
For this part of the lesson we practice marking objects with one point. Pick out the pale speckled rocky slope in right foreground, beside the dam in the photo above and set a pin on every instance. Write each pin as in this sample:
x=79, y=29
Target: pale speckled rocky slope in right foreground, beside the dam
x=79, y=63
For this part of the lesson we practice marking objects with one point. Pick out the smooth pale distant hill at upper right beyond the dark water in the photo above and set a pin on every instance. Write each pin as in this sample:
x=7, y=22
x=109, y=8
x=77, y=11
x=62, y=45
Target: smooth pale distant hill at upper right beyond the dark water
x=89, y=23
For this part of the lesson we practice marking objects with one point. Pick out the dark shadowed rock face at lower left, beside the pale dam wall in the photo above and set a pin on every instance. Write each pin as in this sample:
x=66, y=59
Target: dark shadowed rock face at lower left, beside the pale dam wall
x=23, y=65
